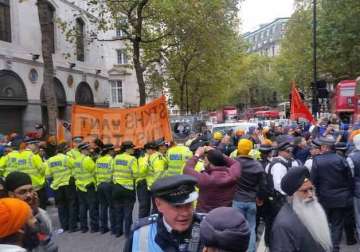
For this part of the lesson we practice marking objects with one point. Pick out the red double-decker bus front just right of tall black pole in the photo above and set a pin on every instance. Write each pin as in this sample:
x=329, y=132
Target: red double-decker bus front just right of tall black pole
x=344, y=101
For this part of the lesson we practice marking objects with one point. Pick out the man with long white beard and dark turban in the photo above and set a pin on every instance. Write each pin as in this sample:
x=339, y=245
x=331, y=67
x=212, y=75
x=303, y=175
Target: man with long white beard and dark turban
x=301, y=224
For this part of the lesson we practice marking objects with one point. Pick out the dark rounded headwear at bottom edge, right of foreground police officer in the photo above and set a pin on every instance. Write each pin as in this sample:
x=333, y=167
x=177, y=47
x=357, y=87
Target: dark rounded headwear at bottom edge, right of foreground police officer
x=220, y=233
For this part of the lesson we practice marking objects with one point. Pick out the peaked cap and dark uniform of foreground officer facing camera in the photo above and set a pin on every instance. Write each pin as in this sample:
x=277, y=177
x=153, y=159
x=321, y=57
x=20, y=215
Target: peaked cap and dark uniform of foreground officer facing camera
x=151, y=234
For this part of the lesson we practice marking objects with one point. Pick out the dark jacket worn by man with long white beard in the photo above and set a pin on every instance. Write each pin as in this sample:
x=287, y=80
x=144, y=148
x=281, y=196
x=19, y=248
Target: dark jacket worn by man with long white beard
x=288, y=234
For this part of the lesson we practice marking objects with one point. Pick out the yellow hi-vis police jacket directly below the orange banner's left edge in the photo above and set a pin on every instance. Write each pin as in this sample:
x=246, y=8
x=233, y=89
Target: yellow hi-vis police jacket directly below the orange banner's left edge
x=84, y=169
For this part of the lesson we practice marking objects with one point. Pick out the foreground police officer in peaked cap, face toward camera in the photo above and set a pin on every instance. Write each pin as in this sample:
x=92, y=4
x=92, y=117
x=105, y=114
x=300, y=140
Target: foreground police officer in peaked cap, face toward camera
x=176, y=228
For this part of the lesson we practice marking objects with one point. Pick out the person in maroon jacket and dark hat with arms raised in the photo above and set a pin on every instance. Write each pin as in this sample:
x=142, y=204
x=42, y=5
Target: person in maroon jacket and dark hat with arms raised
x=217, y=182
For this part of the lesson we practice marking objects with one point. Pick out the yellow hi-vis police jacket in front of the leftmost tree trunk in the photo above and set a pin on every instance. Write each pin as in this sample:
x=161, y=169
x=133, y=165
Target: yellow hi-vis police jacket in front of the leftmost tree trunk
x=59, y=168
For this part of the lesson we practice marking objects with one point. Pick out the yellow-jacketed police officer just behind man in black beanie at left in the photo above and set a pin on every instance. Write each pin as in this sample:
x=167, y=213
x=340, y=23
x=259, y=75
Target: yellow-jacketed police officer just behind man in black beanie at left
x=30, y=162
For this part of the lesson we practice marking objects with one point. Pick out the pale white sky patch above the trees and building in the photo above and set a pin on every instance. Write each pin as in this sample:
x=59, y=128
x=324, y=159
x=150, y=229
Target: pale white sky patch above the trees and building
x=256, y=12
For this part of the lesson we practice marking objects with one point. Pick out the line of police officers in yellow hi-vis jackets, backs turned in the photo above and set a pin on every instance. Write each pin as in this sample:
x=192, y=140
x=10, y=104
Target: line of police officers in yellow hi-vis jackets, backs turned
x=103, y=185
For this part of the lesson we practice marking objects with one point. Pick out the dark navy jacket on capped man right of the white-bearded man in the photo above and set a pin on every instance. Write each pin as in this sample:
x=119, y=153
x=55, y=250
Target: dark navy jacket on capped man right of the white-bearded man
x=332, y=179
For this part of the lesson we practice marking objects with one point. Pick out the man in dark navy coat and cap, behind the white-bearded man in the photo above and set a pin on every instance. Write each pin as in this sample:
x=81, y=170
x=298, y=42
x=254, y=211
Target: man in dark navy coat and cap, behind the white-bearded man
x=331, y=176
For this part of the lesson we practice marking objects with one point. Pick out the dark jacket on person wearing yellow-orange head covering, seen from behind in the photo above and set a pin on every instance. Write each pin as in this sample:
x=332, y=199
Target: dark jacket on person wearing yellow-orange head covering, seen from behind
x=252, y=180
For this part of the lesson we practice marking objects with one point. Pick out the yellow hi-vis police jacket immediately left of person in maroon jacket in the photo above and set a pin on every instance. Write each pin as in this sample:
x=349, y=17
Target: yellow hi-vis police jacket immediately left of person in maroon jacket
x=176, y=157
